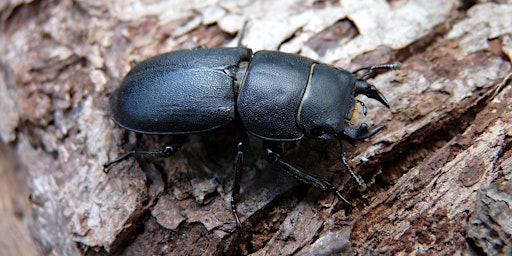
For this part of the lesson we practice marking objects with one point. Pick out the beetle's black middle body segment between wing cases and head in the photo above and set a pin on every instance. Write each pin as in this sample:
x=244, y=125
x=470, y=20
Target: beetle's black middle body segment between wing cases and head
x=271, y=94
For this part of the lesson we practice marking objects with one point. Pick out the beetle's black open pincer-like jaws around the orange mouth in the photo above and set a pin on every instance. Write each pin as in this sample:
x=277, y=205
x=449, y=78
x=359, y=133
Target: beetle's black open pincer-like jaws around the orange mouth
x=370, y=91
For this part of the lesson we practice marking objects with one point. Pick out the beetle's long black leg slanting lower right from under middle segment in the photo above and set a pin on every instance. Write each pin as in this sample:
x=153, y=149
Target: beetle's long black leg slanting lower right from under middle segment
x=298, y=174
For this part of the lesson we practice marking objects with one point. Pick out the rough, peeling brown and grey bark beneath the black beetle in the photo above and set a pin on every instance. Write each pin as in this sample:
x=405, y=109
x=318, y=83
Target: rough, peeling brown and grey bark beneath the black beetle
x=438, y=176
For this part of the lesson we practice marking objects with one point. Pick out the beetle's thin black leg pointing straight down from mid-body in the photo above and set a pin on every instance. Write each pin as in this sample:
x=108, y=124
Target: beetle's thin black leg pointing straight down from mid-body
x=239, y=162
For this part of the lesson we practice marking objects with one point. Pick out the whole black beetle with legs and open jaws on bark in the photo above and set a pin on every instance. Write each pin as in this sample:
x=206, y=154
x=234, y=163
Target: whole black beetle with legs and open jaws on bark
x=276, y=97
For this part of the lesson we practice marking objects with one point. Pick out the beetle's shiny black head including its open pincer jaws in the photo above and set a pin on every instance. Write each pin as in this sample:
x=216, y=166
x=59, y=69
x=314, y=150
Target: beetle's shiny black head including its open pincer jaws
x=328, y=104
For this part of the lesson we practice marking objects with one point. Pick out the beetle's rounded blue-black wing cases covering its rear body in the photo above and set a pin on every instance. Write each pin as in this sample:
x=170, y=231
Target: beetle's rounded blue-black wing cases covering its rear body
x=182, y=92
